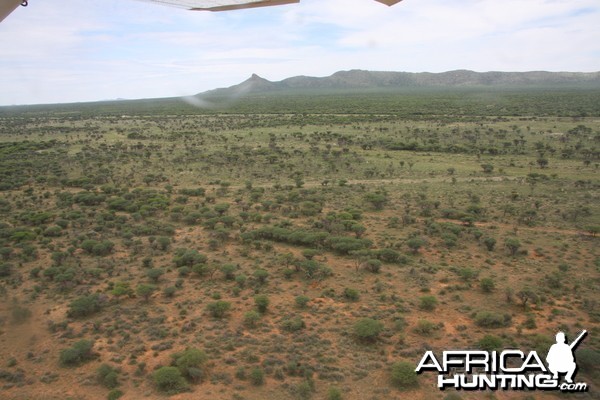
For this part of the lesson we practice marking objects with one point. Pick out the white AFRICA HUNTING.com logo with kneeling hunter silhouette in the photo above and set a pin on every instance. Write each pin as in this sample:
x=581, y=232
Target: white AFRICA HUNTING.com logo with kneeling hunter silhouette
x=507, y=370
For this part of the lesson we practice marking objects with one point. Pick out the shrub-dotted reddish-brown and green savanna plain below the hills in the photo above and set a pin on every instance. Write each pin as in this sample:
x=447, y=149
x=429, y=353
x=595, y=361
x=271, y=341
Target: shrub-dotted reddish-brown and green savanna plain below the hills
x=295, y=246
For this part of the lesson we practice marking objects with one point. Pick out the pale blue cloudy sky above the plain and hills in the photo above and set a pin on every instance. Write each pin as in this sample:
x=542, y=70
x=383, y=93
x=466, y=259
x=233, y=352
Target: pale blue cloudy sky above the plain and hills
x=57, y=51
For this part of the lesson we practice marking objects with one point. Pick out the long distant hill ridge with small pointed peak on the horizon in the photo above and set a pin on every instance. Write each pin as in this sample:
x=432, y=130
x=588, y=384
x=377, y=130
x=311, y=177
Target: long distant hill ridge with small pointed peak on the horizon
x=360, y=79
